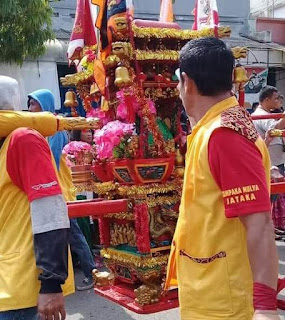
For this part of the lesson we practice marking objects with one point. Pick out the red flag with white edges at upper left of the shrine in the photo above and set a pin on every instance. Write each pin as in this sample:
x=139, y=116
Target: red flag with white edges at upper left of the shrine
x=83, y=33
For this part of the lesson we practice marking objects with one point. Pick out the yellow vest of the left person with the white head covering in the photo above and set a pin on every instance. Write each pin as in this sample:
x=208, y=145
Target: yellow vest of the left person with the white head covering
x=19, y=284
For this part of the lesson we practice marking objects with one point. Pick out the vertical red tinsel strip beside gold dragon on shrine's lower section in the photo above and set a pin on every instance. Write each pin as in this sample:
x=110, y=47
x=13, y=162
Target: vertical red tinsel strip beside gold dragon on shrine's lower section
x=142, y=227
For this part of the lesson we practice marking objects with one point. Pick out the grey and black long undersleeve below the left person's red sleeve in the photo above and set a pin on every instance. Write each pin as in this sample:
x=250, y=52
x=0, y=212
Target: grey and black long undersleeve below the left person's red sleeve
x=50, y=226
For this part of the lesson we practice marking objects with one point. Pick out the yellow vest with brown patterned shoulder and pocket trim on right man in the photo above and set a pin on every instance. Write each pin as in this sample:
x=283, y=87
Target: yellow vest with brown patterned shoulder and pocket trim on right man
x=209, y=260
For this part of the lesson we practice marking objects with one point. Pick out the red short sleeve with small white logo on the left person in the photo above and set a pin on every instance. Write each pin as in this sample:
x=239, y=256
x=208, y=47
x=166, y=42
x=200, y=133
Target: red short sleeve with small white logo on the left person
x=29, y=164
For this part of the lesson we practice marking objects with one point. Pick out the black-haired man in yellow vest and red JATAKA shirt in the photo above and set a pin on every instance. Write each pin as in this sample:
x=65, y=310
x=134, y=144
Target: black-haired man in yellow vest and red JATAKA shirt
x=223, y=258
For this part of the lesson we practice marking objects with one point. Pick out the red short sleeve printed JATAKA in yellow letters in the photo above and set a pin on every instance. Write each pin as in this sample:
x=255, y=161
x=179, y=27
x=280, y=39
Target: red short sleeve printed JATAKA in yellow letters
x=236, y=164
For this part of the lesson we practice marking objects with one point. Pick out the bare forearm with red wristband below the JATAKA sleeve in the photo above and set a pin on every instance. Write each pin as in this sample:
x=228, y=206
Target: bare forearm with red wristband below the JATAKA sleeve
x=263, y=259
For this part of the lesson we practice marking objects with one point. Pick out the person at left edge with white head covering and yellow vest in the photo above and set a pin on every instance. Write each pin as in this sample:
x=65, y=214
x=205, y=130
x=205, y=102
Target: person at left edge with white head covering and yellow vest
x=34, y=224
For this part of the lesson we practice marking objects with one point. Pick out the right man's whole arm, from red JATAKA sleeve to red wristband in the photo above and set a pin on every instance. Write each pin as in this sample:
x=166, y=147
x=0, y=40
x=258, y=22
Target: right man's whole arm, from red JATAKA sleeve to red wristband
x=236, y=162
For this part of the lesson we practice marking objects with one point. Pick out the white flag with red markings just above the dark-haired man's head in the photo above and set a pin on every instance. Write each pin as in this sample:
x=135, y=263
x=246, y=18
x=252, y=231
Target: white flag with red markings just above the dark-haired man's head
x=205, y=14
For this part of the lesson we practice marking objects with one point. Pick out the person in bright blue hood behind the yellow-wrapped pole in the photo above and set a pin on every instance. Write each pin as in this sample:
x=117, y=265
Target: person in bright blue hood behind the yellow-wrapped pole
x=43, y=100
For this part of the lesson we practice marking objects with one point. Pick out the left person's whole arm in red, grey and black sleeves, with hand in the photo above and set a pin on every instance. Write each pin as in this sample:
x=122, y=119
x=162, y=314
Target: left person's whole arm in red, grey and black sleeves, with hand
x=30, y=168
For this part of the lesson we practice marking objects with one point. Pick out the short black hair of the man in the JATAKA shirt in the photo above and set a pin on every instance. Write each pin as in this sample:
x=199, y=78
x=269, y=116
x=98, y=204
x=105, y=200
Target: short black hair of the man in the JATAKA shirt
x=209, y=63
